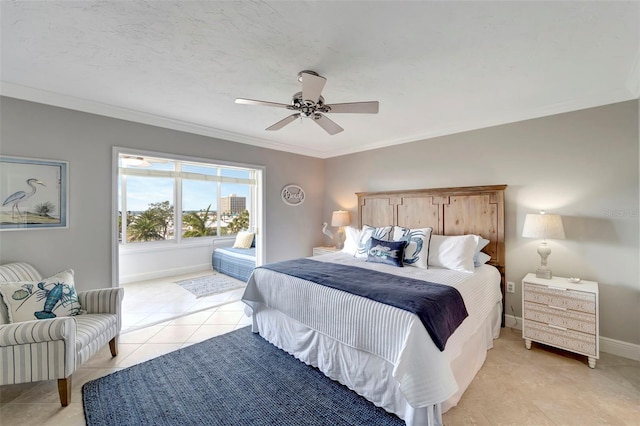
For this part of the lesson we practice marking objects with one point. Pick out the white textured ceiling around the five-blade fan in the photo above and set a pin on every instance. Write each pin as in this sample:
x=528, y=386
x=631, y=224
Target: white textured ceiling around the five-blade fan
x=436, y=67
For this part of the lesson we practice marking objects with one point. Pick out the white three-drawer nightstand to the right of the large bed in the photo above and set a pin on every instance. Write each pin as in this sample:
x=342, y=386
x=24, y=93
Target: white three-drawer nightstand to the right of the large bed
x=561, y=314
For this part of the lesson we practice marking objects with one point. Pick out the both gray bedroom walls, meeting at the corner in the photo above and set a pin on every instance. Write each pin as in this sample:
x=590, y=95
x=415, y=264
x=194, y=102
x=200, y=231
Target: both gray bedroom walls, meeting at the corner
x=583, y=165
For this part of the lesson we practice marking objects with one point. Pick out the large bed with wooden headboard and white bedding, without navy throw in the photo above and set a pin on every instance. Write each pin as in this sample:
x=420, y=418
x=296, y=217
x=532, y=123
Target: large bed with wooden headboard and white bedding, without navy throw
x=396, y=364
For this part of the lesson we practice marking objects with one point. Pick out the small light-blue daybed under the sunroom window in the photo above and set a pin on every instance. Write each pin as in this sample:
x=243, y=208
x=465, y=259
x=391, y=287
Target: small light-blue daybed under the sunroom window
x=234, y=262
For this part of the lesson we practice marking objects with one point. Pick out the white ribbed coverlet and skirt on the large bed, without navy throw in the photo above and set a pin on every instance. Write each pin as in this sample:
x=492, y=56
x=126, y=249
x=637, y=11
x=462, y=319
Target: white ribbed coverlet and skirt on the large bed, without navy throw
x=424, y=375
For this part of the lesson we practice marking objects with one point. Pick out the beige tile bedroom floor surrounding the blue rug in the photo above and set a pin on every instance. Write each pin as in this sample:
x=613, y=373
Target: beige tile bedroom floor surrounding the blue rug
x=541, y=386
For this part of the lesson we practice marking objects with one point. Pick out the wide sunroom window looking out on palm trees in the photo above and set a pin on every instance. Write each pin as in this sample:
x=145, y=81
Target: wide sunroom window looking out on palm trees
x=162, y=199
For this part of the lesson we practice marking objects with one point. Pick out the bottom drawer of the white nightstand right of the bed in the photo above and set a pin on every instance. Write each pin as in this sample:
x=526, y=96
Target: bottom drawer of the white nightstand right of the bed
x=561, y=338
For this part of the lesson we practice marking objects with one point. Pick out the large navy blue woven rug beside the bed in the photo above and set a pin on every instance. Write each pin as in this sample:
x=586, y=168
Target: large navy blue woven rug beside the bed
x=234, y=379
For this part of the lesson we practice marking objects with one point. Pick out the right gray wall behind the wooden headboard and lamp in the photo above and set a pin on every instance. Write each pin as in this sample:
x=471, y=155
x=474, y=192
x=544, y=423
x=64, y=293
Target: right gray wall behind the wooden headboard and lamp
x=582, y=165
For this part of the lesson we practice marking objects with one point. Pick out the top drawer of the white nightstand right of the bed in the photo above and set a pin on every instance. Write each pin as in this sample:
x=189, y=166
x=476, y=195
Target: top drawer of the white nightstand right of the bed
x=561, y=298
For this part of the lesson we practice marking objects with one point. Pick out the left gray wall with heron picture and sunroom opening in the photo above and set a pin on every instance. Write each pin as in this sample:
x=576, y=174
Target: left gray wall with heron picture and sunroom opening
x=85, y=141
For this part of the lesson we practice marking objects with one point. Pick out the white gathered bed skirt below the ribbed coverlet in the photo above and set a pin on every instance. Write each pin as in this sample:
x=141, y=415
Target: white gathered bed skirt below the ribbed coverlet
x=346, y=364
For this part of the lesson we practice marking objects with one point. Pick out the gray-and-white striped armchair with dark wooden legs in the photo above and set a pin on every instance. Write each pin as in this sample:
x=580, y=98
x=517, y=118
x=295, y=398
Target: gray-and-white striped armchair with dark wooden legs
x=48, y=349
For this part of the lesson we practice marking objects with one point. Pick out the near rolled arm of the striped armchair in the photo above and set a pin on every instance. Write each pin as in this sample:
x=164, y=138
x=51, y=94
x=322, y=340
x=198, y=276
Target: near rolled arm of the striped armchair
x=37, y=331
